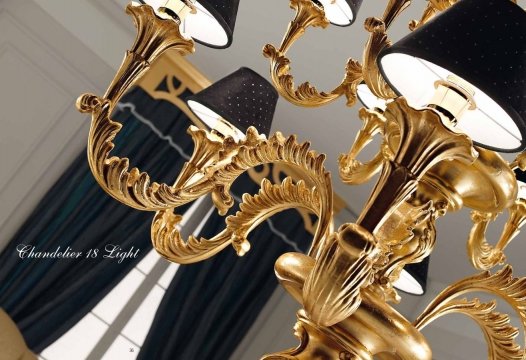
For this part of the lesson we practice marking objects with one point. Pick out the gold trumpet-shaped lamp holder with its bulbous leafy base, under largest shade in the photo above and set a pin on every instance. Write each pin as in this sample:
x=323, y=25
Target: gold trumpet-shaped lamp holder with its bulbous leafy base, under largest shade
x=351, y=258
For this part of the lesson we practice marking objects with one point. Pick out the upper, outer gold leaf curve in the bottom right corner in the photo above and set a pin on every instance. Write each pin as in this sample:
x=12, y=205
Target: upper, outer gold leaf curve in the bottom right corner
x=501, y=284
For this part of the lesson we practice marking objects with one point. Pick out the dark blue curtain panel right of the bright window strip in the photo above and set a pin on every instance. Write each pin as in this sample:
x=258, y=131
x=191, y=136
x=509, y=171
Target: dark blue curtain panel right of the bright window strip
x=209, y=307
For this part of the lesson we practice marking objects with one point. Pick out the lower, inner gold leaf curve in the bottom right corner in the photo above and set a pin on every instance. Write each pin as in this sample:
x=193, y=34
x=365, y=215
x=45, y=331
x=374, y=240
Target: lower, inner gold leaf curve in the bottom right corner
x=499, y=334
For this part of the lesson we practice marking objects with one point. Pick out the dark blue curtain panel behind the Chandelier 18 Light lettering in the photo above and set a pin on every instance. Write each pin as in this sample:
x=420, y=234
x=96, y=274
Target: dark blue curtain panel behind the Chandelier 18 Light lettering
x=46, y=297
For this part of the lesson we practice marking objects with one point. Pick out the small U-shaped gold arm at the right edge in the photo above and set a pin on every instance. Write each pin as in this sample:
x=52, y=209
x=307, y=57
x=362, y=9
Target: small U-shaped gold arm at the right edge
x=484, y=256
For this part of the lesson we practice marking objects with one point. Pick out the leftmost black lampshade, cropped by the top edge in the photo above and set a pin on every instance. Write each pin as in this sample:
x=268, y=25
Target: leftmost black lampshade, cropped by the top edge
x=212, y=25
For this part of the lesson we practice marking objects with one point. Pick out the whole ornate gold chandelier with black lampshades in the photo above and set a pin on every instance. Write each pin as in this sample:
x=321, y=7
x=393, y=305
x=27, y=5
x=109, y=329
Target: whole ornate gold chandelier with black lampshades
x=444, y=100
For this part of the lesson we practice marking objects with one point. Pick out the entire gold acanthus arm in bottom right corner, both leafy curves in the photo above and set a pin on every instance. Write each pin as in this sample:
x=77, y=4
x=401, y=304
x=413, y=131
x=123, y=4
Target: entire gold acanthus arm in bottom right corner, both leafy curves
x=499, y=334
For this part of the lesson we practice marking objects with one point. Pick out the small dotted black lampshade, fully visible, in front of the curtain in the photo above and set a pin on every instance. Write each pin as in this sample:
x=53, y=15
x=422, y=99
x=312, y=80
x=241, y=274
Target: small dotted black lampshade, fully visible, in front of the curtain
x=243, y=98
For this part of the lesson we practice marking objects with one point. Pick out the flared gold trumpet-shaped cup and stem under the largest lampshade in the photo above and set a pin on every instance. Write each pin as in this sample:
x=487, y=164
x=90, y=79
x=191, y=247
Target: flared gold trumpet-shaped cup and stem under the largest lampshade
x=418, y=140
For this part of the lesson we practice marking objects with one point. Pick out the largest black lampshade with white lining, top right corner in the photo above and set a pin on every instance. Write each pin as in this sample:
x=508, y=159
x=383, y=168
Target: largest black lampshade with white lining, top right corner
x=481, y=42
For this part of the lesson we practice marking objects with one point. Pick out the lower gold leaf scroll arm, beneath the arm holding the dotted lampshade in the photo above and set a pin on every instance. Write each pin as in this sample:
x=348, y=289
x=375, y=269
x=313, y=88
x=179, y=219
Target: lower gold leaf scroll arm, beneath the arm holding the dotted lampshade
x=271, y=199
